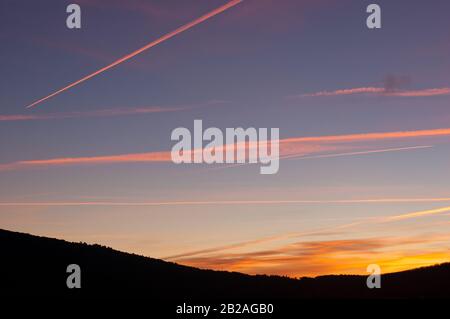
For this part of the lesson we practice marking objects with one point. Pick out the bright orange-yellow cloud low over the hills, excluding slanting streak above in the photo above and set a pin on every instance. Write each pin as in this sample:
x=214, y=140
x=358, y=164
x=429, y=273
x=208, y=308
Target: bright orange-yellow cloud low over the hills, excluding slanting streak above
x=346, y=256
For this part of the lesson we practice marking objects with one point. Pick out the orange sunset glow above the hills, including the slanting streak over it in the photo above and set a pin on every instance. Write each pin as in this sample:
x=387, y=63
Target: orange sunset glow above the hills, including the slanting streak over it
x=304, y=257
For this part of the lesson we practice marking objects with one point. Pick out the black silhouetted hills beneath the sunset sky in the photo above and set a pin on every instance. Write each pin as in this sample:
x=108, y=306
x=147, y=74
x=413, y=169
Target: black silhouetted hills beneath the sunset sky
x=32, y=265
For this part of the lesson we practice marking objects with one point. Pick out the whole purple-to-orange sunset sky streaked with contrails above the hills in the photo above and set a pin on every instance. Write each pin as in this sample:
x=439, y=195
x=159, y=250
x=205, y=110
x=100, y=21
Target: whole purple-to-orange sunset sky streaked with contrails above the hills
x=363, y=116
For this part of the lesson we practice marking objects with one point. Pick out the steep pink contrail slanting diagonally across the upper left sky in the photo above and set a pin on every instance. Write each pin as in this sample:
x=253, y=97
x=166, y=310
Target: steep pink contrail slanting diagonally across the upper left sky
x=144, y=48
